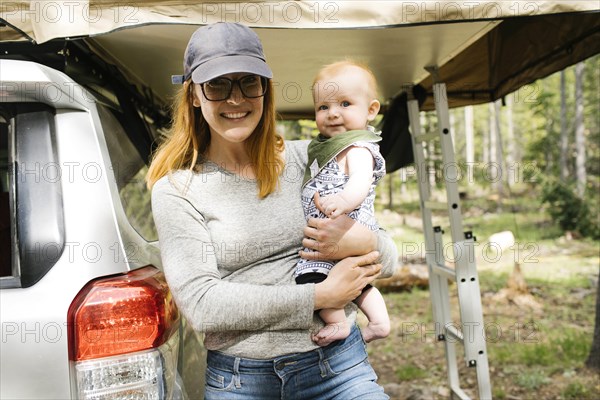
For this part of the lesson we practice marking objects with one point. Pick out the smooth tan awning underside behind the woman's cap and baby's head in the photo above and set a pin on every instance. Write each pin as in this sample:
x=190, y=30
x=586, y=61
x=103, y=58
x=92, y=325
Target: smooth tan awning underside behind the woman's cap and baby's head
x=396, y=55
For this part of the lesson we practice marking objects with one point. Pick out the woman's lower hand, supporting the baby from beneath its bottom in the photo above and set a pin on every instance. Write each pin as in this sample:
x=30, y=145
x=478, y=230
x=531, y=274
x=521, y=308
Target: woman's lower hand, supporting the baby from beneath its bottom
x=346, y=281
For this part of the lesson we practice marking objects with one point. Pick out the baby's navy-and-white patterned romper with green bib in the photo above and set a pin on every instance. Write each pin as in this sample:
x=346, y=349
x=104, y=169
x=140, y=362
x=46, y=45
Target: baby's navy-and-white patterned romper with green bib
x=329, y=179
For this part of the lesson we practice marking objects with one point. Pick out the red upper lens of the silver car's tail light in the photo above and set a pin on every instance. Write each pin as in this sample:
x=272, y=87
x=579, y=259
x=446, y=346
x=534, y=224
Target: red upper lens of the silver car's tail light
x=121, y=314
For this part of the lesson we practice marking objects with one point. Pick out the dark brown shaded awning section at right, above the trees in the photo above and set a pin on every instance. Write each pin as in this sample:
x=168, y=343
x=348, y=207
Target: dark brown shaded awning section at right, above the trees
x=518, y=52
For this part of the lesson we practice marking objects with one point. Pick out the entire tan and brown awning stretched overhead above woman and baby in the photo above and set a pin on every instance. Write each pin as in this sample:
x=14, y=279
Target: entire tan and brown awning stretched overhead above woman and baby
x=485, y=49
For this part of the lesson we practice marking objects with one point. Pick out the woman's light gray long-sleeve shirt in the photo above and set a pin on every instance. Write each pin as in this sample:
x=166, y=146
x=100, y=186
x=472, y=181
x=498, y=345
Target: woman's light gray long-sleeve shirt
x=229, y=258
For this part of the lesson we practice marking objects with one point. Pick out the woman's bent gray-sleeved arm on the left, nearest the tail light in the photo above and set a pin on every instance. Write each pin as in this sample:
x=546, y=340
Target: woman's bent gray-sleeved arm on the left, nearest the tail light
x=209, y=302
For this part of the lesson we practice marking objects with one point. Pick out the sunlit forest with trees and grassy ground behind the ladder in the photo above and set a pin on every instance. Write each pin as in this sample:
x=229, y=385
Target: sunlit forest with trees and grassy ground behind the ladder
x=528, y=164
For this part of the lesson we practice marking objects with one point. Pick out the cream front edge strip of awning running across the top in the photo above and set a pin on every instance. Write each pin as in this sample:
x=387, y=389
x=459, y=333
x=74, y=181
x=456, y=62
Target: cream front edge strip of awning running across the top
x=45, y=20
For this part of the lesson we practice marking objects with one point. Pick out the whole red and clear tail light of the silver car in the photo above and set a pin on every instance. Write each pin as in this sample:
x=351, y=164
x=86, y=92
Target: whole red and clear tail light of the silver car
x=123, y=337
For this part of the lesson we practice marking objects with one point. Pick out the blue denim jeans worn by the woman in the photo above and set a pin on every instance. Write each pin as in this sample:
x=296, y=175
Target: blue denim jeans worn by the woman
x=339, y=371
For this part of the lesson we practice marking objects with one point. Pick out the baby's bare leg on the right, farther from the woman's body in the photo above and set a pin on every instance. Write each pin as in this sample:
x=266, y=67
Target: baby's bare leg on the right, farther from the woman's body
x=372, y=304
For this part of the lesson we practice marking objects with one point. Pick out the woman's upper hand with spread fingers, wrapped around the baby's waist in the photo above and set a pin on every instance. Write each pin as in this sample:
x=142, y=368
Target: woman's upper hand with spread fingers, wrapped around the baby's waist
x=335, y=239
